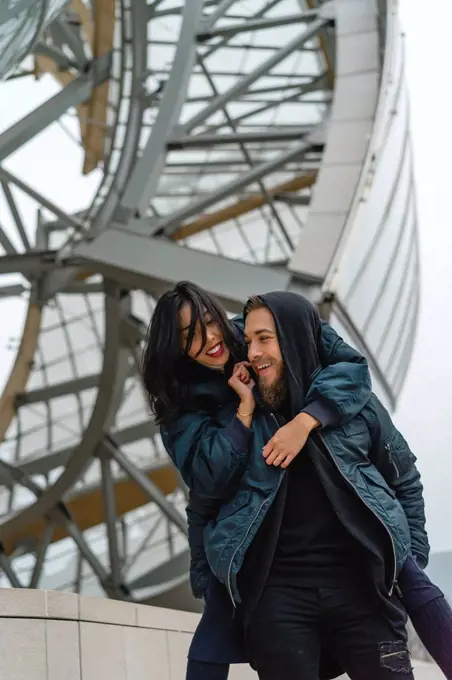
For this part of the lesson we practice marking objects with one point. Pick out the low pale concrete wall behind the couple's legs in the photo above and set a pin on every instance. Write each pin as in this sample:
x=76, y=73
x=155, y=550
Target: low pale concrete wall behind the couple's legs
x=46, y=635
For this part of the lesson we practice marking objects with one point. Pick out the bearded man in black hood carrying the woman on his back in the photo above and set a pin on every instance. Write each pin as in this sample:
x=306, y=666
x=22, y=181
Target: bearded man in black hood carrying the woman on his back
x=319, y=574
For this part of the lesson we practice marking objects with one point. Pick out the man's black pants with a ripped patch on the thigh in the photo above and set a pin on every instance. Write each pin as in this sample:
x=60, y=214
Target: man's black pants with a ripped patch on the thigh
x=290, y=625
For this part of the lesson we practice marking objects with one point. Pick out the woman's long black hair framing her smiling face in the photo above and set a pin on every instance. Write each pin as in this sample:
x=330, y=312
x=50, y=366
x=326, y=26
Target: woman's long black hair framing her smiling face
x=166, y=368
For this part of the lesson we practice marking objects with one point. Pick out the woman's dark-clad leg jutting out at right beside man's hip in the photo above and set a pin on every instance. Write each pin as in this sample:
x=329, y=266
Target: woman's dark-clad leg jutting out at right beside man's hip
x=430, y=614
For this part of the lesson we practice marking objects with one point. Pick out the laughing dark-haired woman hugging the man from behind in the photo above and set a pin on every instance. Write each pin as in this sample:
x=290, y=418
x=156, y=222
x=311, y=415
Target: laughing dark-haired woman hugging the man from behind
x=188, y=372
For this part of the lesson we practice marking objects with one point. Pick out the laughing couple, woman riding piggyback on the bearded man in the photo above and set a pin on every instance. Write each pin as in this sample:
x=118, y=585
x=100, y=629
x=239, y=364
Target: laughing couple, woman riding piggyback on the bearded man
x=306, y=516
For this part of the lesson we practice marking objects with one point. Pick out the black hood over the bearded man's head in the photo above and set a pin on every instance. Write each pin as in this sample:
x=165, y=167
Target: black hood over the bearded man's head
x=298, y=326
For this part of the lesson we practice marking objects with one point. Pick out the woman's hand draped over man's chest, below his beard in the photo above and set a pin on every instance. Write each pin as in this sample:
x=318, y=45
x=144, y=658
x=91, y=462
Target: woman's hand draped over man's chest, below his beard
x=289, y=440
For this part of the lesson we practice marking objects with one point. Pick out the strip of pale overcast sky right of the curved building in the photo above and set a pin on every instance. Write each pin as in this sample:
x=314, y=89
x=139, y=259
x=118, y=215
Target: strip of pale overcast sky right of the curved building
x=425, y=410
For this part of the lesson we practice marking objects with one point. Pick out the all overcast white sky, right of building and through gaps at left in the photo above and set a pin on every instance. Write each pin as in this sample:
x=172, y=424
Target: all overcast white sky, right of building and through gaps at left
x=425, y=410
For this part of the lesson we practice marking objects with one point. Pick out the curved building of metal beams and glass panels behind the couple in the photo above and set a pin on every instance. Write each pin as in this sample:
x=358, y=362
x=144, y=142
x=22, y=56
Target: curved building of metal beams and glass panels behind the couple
x=236, y=143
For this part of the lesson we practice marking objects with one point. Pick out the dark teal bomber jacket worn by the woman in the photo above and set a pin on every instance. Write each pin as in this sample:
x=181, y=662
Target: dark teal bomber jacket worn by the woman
x=211, y=448
